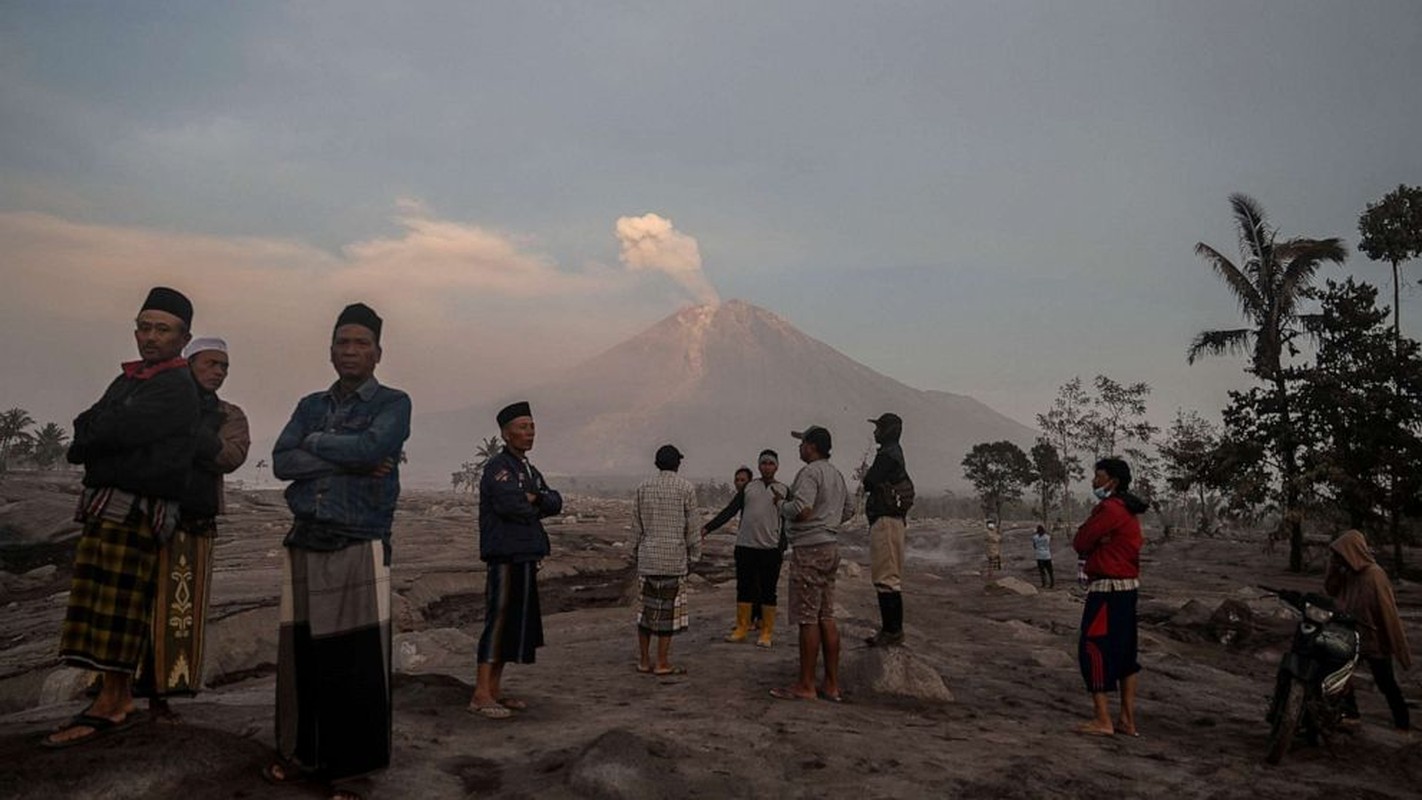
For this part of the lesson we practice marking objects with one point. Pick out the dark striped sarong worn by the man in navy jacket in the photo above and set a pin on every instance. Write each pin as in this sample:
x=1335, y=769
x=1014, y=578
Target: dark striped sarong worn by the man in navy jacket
x=513, y=620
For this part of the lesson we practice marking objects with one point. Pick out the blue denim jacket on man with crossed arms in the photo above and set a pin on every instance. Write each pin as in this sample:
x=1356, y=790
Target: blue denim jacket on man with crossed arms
x=328, y=453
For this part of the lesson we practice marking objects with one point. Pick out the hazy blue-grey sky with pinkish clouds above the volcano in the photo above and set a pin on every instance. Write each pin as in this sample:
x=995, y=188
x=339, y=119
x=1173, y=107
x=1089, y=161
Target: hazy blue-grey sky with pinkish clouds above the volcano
x=985, y=198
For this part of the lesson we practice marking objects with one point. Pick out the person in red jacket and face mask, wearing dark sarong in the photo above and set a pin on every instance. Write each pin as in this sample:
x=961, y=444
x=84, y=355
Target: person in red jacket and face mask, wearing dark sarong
x=1110, y=541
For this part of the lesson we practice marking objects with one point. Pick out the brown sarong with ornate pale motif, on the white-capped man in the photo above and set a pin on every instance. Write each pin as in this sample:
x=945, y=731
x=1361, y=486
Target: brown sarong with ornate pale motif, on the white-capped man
x=173, y=664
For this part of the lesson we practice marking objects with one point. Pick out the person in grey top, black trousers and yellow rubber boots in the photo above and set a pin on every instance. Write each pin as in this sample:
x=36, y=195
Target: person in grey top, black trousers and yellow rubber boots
x=757, y=549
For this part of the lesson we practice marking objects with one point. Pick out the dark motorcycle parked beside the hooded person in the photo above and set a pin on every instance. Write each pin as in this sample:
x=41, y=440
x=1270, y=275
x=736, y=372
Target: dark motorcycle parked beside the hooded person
x=1313, y=676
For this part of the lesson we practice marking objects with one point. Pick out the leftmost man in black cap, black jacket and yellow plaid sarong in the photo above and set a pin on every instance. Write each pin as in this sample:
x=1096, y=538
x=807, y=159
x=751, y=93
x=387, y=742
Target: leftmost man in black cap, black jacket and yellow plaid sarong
x=137, y=447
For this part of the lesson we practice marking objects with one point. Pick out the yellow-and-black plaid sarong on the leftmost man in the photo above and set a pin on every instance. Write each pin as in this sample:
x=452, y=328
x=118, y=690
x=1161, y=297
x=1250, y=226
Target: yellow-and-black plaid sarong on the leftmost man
x=112, y=596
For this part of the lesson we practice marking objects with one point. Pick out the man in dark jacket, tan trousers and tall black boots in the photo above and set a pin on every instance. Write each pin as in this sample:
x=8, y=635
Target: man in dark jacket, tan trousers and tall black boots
x=888, y=521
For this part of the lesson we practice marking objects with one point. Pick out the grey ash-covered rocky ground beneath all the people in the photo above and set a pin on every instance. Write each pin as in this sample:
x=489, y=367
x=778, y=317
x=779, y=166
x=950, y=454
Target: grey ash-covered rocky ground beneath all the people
x=980, y=704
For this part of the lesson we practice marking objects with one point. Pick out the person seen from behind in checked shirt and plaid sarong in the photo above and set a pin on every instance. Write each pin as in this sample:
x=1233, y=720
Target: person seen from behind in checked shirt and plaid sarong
x=666, y=542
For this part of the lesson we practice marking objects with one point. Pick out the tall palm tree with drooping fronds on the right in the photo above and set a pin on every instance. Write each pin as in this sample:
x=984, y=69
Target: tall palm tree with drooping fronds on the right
x=1271, y=282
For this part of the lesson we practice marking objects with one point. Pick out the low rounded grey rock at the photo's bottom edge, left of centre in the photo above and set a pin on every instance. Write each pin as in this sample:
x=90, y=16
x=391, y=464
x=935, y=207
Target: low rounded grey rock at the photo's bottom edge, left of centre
x=622, y=765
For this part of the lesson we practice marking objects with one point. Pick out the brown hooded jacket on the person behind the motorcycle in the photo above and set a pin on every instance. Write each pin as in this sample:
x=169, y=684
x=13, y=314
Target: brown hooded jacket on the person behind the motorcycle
x=1364, y=592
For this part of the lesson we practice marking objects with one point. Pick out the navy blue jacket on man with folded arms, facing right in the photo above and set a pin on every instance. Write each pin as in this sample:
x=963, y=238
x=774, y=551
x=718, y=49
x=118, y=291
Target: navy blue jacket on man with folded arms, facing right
x=511, y=528
